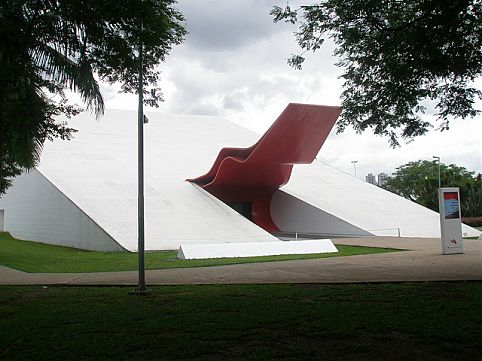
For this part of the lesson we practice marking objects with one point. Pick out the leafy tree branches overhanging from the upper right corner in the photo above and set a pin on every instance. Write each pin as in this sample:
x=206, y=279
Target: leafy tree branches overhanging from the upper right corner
x=396, y=54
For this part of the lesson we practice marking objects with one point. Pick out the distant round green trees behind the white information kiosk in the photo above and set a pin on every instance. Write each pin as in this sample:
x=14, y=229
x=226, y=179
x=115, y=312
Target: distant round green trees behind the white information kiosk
x=418, y=181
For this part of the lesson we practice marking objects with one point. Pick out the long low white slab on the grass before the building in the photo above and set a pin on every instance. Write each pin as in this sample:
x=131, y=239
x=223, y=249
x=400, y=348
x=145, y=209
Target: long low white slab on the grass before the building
x=231, y=250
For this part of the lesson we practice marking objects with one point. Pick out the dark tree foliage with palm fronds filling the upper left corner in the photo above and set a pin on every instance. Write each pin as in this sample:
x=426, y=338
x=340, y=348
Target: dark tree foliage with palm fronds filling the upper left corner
x=48, y=46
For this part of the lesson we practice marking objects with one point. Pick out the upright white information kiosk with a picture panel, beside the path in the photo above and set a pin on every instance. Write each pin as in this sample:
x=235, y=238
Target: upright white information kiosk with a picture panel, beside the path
x=450, y=220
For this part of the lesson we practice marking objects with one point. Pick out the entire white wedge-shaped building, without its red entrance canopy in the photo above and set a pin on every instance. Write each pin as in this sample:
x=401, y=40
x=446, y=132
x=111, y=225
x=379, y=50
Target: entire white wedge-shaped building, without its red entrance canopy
x=84, y=191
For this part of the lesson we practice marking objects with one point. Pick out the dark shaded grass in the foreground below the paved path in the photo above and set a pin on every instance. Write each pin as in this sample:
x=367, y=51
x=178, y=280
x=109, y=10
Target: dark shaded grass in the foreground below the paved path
x=407, y=321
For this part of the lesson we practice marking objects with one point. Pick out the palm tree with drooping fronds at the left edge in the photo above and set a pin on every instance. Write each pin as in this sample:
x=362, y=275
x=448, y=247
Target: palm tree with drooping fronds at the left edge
x=41, y=55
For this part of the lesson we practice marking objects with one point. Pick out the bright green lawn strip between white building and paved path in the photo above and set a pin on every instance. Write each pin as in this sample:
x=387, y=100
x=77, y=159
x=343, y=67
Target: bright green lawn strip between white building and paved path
x=39, y=257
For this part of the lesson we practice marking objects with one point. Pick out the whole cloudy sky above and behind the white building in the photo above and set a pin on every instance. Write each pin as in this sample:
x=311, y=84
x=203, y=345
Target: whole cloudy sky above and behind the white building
x=233, y=65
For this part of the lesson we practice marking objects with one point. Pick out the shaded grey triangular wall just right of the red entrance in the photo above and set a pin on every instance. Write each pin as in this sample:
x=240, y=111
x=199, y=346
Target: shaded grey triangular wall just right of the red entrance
x=291, y=214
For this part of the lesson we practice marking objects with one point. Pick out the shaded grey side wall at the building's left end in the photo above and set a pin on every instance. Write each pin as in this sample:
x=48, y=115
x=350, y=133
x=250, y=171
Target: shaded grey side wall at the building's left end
x=36, y=210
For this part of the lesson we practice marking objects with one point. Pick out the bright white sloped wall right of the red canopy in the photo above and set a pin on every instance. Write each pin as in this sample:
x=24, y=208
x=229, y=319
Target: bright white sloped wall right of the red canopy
x=364, y=205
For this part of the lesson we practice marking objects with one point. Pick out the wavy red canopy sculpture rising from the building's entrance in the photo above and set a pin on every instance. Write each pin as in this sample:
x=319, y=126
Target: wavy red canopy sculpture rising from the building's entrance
x=248, y=177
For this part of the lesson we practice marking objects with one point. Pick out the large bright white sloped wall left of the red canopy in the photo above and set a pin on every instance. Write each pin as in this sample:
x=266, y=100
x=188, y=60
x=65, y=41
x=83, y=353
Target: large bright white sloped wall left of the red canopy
x=97, y=170
